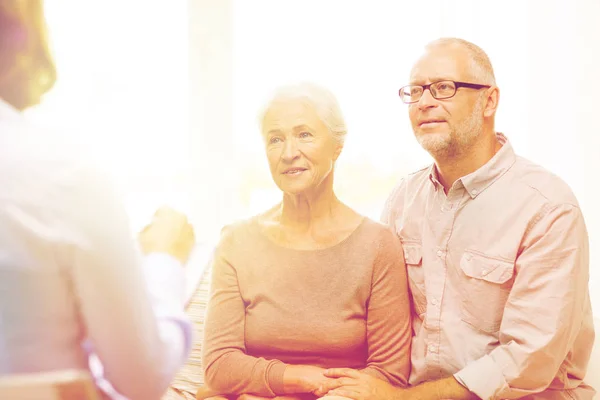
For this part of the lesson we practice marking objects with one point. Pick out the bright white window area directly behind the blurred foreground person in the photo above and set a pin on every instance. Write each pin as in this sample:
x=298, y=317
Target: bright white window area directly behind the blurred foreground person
x=123, y=86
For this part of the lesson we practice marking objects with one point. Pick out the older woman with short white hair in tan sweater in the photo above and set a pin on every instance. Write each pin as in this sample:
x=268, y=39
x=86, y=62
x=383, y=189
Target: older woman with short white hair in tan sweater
x=309, y=284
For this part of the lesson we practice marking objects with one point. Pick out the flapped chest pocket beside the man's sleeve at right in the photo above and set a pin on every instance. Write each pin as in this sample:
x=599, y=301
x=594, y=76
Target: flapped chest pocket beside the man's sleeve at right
x=485, y=291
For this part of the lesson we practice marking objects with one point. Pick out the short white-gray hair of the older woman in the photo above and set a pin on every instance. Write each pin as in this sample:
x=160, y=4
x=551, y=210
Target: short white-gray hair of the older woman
x=324, y=102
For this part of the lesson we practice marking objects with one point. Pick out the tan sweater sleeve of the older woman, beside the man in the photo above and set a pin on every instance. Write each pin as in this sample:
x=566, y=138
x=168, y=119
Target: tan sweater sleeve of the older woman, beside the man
x=389, y=331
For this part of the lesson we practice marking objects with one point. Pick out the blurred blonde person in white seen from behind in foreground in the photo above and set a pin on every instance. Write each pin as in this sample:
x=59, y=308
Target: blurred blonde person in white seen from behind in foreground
x=71, y=279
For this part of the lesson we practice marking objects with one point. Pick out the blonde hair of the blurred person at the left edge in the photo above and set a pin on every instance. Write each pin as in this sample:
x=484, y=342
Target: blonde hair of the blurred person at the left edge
x=27, y=69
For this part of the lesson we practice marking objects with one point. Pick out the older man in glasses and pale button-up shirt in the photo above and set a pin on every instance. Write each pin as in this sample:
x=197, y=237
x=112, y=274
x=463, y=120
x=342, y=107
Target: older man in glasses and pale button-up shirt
x=496, y=249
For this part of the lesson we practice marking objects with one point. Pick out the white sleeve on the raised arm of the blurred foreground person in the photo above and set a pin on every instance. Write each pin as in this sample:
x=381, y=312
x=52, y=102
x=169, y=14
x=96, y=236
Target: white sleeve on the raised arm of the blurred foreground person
x=133, y=315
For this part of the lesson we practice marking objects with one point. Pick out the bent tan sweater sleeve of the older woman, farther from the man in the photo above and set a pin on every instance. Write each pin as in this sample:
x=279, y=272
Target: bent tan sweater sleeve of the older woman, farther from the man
x=227, y=367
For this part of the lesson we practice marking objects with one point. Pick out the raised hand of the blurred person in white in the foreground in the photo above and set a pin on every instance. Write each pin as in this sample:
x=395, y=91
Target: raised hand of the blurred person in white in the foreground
x=169, y=232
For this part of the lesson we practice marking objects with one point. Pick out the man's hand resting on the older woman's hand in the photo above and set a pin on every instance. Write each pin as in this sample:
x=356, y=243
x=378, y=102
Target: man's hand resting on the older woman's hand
x=358, y=386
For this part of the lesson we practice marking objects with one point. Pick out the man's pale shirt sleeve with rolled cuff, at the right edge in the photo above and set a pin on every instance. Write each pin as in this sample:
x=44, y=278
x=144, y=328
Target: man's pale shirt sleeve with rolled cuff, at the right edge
x=544, y=312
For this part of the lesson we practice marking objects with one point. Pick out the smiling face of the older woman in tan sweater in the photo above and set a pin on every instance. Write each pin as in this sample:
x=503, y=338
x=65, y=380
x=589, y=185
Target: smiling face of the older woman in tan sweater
x=300, y=148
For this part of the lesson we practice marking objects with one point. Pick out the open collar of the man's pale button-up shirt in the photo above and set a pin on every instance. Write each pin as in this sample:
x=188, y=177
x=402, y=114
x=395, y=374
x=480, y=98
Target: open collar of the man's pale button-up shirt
x=476, y=182
